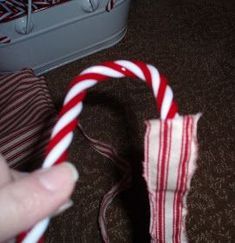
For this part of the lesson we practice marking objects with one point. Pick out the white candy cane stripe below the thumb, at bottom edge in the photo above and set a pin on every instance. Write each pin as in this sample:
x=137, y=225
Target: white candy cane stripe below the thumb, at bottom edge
x=38, y=230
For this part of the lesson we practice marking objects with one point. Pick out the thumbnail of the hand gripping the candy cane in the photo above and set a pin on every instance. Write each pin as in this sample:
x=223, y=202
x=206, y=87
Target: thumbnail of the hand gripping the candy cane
x=58, y=177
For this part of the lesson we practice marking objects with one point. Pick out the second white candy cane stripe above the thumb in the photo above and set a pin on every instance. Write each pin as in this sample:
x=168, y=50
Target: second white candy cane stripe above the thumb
x=67, y=118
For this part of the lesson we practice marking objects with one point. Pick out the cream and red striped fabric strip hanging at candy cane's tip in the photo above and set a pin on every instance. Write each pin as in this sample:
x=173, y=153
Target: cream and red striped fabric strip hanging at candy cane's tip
x=170, y=156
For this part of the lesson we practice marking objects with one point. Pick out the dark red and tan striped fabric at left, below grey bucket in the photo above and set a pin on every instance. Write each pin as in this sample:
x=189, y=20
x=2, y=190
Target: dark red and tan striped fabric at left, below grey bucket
x=27, y=116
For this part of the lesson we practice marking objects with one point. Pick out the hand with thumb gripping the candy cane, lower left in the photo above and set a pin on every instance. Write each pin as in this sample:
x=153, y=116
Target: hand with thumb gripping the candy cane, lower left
x=25, y=199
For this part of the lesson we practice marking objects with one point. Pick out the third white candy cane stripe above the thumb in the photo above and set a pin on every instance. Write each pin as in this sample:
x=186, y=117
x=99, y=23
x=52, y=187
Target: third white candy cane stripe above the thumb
x=78, y=88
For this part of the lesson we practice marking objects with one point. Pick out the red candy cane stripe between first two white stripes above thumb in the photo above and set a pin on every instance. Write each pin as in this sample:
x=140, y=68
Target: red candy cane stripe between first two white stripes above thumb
x=61, y=134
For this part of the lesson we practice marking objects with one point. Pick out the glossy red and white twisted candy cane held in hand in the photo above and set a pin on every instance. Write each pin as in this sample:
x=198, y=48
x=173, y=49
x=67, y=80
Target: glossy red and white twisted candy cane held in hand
x=62, y=133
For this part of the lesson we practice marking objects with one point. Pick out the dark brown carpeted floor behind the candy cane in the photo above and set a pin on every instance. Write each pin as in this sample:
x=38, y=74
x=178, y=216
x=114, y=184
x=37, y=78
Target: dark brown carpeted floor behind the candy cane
x=192, y=43
